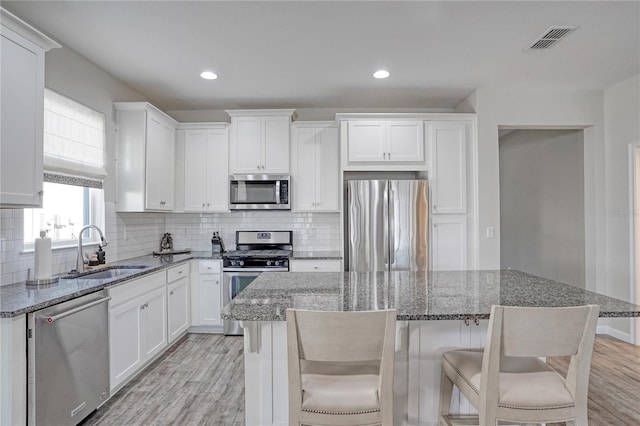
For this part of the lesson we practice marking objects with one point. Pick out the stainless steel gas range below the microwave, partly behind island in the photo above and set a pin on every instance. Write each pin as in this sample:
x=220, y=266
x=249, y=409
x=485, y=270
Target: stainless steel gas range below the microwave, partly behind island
x=256, y=252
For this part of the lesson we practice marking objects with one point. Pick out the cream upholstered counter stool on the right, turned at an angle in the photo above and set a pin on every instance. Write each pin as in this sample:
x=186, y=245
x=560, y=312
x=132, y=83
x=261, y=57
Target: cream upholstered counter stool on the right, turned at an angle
x=508, y=380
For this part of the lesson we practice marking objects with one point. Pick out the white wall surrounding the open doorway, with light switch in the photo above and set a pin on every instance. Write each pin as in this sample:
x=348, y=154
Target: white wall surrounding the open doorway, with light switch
x=539, y=109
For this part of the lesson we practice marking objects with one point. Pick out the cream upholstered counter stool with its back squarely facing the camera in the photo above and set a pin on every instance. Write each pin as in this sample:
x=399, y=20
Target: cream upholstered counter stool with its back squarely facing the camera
x=340, y=367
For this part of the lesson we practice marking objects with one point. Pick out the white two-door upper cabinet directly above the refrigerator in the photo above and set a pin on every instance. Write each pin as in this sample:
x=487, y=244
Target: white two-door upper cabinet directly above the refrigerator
x=383, y=145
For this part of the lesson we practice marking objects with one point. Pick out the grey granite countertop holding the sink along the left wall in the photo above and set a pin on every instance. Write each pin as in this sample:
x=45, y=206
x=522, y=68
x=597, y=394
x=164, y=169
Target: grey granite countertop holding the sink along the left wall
x=17, y=299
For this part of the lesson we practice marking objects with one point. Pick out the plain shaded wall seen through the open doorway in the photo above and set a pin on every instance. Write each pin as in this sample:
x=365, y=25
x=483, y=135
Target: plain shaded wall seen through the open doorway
x=542, y=204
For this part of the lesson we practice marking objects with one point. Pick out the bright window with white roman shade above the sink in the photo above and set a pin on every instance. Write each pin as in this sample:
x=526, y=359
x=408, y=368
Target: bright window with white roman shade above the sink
x=74, y=168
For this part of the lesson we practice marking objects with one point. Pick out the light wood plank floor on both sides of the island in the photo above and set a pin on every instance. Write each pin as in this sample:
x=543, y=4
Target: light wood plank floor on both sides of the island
x=200, y=381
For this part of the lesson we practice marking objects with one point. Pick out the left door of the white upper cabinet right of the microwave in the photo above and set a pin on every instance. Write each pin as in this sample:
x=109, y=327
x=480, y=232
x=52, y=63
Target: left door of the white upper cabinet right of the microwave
x=304, y=173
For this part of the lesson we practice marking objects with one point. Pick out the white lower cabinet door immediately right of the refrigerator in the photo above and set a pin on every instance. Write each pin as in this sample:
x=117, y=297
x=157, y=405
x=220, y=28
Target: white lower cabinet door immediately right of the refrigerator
x=449, y=243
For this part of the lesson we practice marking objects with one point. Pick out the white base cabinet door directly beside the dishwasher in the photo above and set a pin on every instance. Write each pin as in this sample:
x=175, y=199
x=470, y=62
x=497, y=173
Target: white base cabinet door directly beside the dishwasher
x=125, y=353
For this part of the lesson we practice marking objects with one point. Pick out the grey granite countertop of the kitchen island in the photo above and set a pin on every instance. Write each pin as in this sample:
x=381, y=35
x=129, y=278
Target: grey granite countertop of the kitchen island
x=447, y=295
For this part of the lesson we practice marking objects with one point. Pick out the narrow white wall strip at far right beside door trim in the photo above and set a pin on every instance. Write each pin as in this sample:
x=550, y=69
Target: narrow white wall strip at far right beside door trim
x=622, y=128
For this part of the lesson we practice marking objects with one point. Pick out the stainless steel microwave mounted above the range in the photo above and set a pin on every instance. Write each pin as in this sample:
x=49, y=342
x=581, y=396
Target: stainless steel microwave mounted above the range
x=259, y=192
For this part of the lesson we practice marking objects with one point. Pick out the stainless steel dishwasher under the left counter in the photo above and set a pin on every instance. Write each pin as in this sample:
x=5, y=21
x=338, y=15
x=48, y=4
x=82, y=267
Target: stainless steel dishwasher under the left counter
x=68, y=353
